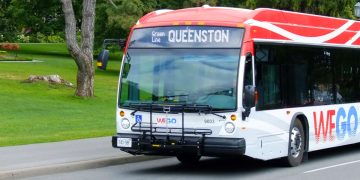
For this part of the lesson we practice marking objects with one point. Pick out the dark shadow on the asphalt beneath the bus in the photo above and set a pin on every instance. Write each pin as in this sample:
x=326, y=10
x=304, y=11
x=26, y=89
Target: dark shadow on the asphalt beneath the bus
x=244, y=165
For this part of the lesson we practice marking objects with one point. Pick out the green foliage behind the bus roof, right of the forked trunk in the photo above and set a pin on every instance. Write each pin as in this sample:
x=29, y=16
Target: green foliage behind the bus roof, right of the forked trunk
x=117, y=21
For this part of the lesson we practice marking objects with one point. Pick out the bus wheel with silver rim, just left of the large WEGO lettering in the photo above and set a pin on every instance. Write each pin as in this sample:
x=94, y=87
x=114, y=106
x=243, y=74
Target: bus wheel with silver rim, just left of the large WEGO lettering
x=296, y=145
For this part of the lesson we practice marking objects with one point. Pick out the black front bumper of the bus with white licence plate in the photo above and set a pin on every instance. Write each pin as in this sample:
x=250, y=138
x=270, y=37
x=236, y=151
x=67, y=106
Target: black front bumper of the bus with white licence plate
x=173, y=145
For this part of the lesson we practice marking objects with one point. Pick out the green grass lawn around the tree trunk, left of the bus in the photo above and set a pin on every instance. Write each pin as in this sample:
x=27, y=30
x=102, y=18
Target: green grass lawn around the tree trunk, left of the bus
x=39, y=112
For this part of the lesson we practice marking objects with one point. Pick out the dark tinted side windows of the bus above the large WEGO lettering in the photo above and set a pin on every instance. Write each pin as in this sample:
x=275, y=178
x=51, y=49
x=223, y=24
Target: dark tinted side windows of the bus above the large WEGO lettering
x=292, y=76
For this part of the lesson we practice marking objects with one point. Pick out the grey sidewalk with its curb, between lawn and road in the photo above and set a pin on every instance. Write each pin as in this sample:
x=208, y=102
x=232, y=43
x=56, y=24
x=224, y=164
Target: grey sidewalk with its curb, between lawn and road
x=46, y=158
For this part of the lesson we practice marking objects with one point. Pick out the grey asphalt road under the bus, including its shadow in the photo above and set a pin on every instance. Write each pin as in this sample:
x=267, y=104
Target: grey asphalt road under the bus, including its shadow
x=336, y=163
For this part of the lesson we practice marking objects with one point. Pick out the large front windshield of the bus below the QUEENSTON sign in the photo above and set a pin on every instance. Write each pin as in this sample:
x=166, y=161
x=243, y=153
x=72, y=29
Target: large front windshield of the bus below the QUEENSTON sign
x=191, y=76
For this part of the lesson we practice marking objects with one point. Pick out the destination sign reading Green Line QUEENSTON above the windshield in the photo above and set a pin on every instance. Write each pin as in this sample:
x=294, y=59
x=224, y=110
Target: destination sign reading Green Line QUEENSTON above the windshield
x=187, y=37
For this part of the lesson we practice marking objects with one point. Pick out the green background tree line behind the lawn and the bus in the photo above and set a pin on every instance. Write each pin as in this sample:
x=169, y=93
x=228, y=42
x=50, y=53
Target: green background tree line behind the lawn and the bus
x=43, y=20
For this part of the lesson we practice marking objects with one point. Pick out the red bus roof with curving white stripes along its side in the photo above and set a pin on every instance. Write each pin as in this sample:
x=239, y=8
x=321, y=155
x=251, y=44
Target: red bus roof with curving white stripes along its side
x=264, y=25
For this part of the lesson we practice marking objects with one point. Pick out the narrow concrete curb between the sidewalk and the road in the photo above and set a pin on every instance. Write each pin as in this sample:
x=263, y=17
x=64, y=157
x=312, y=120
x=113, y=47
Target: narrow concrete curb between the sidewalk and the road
x=73, y=166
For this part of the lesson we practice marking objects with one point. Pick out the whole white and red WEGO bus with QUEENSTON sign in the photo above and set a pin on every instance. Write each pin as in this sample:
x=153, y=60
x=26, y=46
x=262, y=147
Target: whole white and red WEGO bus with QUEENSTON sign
x=216, y=81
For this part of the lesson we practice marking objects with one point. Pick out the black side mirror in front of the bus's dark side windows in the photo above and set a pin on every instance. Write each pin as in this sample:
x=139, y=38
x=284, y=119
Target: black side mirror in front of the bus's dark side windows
x=249, y=99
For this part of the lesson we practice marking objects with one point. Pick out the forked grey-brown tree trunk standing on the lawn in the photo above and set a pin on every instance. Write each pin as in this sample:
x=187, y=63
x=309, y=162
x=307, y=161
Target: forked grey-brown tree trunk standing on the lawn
x=83, y=53
